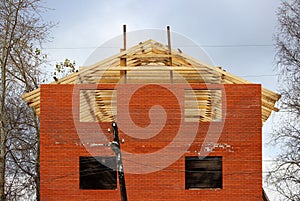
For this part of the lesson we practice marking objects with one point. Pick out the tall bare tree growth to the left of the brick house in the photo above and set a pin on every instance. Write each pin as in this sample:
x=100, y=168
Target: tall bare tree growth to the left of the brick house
x=22, y=32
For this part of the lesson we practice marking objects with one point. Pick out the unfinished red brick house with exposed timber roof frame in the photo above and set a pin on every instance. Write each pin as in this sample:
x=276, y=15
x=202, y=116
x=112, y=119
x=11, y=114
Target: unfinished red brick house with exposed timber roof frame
x=207, y=129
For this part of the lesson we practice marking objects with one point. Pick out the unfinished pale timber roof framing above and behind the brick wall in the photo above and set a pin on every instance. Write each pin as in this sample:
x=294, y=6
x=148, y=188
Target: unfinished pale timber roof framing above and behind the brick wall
x=149, y=62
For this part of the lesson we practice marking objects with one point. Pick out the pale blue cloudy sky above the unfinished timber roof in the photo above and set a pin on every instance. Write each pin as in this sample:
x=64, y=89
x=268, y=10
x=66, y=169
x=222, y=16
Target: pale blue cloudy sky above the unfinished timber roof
x=237, y=35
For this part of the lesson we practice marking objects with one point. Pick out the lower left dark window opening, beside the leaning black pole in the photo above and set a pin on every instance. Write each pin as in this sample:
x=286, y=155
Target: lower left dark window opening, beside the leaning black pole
x=97, y=172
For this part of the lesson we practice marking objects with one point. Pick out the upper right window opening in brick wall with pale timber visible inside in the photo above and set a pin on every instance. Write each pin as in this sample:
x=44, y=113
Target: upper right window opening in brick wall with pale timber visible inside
x=203, y=105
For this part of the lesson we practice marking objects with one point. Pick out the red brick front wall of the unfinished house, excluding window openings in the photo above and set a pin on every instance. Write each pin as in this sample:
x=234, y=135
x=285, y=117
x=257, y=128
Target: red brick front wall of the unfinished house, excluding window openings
x=61, y=146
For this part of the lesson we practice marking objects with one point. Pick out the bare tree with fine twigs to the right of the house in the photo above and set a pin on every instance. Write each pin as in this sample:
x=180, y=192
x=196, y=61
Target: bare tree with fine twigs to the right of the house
x=285, y=175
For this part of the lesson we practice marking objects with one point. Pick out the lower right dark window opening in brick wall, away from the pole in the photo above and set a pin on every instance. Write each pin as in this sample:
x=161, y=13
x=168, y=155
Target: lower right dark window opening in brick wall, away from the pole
x=203, y=173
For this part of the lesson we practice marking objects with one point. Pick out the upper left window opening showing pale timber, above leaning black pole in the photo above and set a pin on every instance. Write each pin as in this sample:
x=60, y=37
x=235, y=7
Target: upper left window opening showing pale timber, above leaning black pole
x=97, y=105
